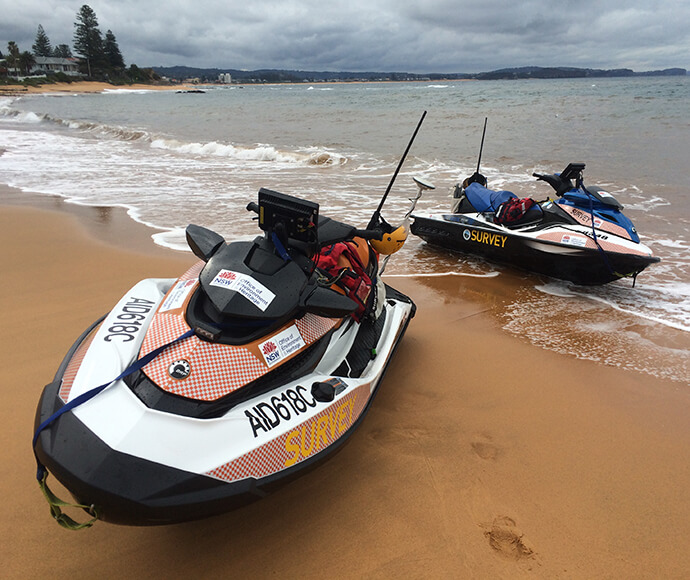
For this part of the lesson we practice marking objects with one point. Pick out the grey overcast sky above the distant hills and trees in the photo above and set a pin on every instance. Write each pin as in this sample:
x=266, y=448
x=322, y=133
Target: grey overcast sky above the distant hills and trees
x=423, y=36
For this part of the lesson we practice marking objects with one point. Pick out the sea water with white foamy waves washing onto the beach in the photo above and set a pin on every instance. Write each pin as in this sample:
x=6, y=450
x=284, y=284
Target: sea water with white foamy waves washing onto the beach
x=174, y=158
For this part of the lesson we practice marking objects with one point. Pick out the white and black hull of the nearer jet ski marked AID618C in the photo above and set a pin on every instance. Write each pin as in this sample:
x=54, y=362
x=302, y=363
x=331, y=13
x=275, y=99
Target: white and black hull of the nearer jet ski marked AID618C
x=139, y=465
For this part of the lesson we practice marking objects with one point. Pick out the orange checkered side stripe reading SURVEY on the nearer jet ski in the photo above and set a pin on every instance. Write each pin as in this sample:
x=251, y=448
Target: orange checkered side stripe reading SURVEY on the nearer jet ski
x=309, y=438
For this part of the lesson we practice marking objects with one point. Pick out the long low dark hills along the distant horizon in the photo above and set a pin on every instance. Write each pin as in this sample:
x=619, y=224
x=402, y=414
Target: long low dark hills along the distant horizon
x=297, y=76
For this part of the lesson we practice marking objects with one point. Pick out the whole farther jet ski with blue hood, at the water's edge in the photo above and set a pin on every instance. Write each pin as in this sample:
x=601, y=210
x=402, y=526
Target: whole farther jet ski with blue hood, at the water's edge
x=582, y=236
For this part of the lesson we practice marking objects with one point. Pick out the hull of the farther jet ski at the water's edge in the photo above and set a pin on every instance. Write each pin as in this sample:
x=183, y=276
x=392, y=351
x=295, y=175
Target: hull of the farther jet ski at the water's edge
x=577, y=260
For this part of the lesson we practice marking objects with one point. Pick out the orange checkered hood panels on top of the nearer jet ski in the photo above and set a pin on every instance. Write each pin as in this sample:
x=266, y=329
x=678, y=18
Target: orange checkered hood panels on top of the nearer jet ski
x=217, y=369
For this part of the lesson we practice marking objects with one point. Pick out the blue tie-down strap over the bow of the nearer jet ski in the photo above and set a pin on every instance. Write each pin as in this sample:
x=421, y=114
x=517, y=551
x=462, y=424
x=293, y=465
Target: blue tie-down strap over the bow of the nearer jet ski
x=42, y=472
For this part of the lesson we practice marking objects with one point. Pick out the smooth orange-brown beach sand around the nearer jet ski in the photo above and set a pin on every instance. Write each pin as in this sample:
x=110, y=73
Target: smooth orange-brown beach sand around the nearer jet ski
x=481, y=457
